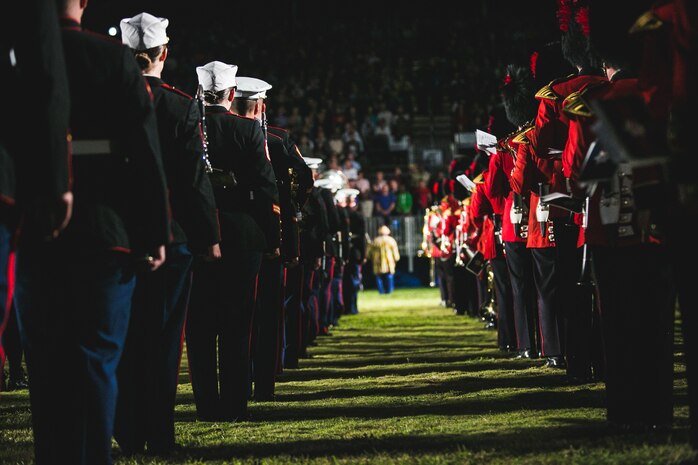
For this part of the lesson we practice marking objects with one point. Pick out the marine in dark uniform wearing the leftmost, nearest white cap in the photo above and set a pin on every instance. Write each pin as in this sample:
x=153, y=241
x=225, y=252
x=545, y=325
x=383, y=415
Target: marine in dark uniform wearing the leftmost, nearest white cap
x=149, y=368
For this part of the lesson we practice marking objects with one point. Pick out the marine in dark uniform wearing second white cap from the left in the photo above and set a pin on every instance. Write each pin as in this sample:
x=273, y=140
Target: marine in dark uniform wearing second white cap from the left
x=222, y=300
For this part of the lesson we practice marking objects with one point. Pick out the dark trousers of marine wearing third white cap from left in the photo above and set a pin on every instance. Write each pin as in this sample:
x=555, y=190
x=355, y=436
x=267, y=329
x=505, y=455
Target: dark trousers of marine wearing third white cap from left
x=267, y=326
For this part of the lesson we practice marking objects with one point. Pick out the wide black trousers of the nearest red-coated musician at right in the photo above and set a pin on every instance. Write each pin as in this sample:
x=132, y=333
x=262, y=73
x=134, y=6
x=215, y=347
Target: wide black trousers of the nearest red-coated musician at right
x=637, y=310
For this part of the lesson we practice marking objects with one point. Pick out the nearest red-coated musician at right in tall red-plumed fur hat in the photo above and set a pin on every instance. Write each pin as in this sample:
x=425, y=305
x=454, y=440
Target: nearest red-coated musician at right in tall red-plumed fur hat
x=625, y=228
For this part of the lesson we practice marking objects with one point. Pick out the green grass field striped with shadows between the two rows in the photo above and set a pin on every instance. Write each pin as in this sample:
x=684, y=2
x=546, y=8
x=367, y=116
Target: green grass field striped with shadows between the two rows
x=405, y=381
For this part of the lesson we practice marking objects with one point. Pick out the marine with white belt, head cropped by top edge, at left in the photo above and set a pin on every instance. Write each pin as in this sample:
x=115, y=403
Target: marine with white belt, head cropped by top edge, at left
x=74, y=294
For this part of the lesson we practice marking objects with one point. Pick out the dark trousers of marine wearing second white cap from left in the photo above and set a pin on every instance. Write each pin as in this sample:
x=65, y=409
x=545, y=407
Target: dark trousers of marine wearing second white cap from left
x=218, y=331
